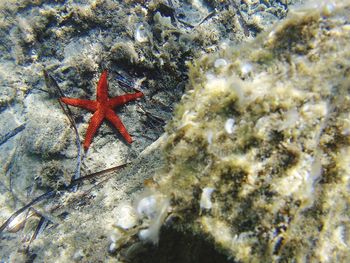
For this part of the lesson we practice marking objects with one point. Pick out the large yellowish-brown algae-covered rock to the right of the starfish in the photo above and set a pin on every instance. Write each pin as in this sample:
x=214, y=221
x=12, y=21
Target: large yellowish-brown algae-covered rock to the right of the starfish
x=258, y=150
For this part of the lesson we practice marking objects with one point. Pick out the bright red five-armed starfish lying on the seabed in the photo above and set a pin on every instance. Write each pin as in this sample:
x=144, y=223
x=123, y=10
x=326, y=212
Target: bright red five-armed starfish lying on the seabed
x=103, y=109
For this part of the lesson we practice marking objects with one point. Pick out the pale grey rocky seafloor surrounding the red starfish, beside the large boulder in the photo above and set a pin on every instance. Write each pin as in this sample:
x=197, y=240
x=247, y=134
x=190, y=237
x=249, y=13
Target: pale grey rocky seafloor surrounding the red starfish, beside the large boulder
x=151, y=44
